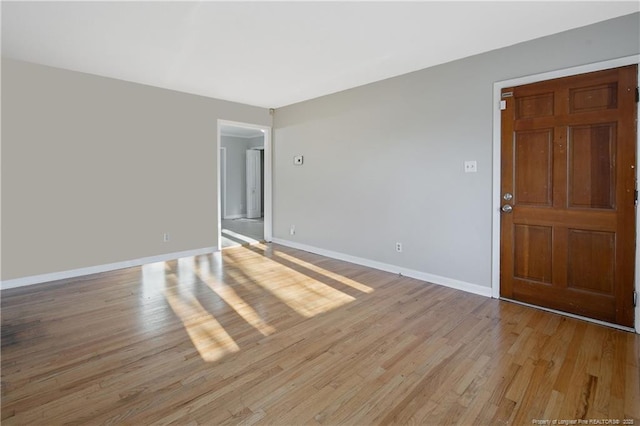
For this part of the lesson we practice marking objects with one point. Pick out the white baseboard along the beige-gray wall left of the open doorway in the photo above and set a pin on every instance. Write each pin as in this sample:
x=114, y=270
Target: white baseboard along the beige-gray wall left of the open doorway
x=37, y=279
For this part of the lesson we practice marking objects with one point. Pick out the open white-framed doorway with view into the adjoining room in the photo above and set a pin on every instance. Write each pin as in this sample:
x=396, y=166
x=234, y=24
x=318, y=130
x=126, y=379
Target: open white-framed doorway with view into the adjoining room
x=244, y=176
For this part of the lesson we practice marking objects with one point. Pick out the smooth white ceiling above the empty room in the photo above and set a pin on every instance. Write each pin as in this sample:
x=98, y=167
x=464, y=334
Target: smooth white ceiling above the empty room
x=272, y=54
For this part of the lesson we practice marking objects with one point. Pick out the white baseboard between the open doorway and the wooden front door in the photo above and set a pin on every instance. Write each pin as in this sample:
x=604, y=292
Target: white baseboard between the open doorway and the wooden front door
x=423, y=276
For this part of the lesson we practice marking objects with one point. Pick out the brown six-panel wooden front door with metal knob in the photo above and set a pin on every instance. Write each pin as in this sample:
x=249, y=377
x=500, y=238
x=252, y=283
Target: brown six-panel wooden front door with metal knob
x=568, y=188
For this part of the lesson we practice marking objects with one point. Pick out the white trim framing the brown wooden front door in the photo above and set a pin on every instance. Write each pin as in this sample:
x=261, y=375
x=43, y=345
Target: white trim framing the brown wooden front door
x=496, y=167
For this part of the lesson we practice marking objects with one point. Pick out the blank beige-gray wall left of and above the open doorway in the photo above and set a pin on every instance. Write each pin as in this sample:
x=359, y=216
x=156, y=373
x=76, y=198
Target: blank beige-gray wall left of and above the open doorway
x=95, y=170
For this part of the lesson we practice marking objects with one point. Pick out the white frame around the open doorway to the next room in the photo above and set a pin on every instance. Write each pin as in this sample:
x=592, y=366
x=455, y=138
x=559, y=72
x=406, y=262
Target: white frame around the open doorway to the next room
x=268, y=191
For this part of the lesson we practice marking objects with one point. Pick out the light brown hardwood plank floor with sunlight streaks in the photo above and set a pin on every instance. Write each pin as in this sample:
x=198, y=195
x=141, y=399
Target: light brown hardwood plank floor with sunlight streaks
x=268, y=334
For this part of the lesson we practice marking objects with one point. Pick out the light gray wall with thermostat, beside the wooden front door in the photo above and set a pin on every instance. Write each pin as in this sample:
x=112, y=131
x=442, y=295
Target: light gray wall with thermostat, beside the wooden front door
x=383, y=163
